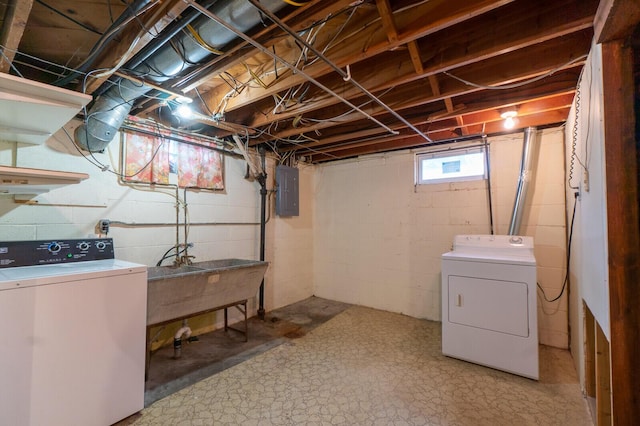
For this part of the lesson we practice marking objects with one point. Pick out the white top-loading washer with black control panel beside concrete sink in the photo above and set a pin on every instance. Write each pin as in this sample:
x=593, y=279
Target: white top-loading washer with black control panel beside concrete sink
x=73, y=333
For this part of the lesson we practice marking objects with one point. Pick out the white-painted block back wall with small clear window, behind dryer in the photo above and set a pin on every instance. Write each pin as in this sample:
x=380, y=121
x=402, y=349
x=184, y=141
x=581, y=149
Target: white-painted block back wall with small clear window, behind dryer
x=378, y=238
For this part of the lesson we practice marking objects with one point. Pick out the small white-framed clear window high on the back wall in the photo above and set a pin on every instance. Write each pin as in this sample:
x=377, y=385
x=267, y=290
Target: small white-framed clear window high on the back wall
x=452, y=165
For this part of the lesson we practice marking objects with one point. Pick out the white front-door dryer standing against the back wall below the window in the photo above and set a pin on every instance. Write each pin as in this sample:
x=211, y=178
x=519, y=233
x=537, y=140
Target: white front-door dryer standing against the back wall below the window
x=489, y=308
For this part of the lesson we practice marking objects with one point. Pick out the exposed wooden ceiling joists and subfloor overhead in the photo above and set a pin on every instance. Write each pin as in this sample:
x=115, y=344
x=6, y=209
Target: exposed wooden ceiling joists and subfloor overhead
x=447, y=67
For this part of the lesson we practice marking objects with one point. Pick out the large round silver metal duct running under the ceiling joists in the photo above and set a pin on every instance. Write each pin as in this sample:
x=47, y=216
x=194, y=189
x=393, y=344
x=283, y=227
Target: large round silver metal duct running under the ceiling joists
x=112, y=107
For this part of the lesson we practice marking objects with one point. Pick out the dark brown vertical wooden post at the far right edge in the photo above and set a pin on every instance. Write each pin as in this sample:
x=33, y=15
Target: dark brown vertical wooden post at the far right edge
x=623, y=233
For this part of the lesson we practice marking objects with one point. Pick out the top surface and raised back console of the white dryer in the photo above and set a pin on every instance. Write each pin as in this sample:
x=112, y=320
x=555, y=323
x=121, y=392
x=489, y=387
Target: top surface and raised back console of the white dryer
x=513, y=249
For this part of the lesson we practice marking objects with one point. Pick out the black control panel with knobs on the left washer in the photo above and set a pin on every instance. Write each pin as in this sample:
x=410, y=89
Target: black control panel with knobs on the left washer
x=49, y=252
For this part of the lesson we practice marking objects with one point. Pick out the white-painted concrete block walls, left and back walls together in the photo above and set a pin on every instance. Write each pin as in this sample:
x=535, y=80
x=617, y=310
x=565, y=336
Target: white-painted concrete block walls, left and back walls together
x=366, y=234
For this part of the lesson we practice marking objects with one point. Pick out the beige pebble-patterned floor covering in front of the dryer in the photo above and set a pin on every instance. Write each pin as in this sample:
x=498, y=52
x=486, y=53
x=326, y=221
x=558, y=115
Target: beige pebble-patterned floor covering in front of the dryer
x=370, y=367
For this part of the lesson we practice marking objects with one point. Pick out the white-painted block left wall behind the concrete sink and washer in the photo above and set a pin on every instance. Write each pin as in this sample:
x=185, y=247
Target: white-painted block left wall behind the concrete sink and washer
x=73, y=212
